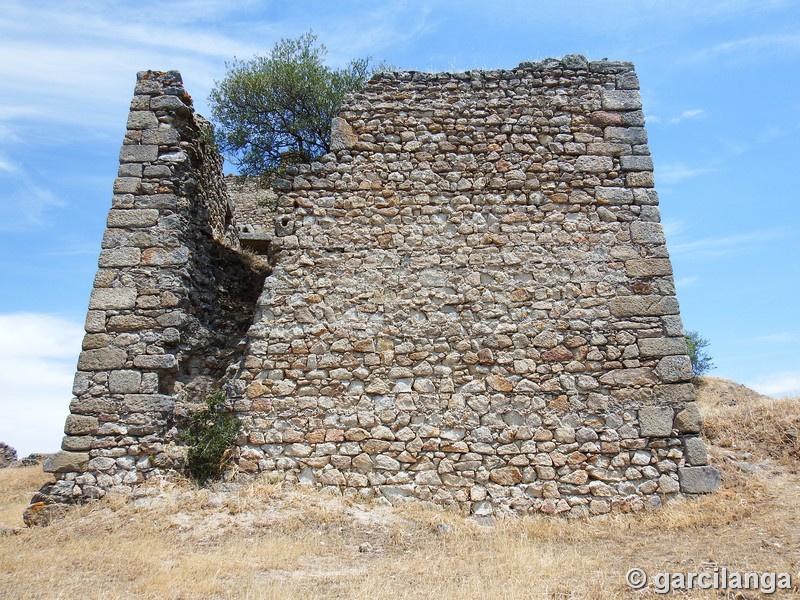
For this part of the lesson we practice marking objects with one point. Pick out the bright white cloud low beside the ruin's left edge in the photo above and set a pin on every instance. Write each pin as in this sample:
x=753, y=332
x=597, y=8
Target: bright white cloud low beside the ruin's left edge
x=38, y=354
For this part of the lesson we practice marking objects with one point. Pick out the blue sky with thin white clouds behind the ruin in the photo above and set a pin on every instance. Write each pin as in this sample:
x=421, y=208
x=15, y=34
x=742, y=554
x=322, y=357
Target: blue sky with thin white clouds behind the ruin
x=719, y=85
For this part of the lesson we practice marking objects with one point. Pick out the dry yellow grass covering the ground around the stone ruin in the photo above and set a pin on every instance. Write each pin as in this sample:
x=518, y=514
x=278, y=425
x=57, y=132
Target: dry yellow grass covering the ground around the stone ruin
x=266, y=541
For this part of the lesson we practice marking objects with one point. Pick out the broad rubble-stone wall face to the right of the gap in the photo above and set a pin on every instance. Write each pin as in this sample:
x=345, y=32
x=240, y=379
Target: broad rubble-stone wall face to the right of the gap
x=473, y=303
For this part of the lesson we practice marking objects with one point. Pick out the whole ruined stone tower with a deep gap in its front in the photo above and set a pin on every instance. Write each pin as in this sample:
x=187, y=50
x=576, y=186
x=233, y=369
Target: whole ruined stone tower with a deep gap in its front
x=469, y=301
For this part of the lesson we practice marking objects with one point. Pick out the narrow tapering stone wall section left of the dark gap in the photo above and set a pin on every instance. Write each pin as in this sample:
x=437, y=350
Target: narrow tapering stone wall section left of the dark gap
x=172, y=298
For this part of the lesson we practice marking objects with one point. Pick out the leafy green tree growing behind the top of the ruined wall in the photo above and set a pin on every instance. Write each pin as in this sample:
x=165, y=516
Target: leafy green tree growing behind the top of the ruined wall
x=276, y=110
